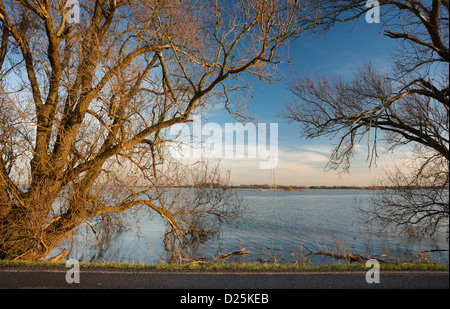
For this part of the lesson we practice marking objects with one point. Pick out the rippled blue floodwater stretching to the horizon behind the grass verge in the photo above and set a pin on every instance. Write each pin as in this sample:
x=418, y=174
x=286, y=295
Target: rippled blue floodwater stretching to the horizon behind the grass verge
x=281, y=227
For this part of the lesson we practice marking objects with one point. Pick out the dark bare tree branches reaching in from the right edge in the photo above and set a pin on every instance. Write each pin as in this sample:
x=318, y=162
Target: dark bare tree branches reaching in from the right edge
x=409, y=105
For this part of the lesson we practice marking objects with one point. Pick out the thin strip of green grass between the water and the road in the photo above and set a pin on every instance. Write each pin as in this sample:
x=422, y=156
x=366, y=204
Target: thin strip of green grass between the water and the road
x=225, y=266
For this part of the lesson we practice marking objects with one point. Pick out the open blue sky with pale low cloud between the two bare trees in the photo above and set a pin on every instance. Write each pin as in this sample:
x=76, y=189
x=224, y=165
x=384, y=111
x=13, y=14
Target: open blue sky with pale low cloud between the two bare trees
x=302, y=162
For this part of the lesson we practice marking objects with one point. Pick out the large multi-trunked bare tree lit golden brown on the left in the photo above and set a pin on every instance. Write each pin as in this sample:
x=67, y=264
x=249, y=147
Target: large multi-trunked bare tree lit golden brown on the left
x=82, y=102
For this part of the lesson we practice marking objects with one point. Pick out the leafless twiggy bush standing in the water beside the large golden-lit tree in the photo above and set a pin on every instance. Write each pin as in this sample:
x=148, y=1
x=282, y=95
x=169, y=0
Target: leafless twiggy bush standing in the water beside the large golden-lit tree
x=206, y=205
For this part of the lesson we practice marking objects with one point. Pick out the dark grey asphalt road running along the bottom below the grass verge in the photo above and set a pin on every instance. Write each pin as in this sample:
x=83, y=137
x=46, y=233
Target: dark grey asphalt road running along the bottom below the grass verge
x=18, y=278
